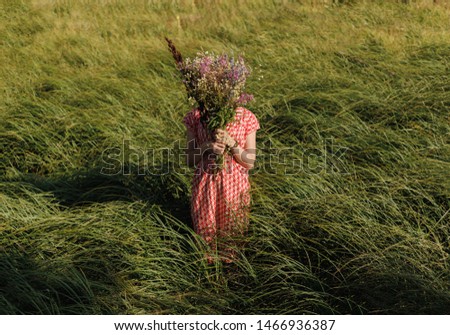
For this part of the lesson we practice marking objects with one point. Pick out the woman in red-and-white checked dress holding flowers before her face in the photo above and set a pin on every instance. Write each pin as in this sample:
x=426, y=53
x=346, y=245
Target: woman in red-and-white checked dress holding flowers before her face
x=220, y=198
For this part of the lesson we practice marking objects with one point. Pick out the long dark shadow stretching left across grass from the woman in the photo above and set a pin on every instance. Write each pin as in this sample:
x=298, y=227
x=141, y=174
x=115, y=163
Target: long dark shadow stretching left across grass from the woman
x=89, y=186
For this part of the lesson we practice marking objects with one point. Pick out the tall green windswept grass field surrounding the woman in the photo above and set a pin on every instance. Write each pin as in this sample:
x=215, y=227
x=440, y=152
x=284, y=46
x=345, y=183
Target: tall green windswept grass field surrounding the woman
x=357, y=94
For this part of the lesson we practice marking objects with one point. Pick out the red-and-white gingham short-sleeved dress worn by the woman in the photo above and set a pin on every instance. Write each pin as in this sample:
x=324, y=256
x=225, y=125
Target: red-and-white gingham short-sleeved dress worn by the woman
x=220, y=202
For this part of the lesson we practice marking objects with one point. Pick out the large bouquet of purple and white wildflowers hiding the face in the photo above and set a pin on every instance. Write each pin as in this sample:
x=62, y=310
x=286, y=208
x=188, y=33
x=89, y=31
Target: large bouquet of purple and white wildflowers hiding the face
x=216, y=83
